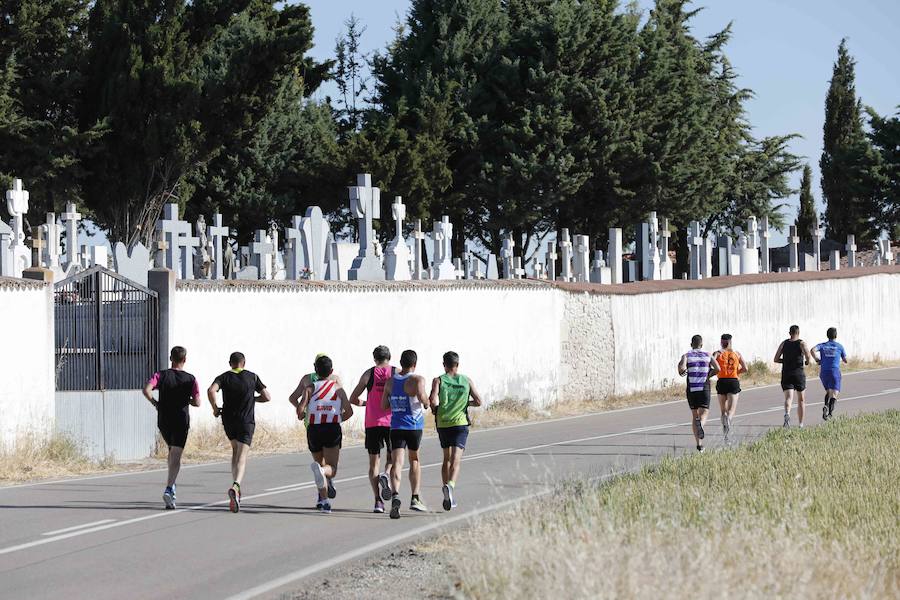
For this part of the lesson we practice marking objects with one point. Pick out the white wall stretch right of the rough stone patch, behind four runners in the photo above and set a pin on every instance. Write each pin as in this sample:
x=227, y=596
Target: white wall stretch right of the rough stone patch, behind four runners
x=652, y=331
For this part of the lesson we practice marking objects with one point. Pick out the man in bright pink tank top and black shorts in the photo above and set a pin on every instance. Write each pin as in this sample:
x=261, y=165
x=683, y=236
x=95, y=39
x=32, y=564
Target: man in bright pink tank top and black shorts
x=378, y=422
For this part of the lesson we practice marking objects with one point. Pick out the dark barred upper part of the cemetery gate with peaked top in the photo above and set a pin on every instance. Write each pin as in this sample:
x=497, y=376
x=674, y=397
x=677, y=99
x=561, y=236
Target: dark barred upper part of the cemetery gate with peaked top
x=106, y=332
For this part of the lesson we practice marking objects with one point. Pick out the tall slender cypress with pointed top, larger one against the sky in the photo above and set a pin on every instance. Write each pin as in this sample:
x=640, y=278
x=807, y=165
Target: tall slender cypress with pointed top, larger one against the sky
x=847, y=158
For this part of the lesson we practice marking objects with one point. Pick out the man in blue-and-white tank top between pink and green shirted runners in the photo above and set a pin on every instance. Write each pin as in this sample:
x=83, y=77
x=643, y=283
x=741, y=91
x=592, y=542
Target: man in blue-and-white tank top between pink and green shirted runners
x=405, y=395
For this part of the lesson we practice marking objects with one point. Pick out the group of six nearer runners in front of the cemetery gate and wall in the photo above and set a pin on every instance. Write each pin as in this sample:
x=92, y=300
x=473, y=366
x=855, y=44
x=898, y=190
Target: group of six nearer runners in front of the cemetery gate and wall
x=396, y=402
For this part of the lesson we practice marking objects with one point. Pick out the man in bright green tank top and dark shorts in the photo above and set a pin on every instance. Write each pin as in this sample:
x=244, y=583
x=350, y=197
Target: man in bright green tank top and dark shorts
x=451, y=396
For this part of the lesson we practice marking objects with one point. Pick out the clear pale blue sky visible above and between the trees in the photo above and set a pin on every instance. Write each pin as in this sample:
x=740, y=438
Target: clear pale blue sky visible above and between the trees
x=783, y=50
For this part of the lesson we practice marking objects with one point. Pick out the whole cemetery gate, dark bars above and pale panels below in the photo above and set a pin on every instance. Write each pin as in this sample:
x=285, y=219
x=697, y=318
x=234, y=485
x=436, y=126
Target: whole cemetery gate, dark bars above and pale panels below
x=107, y=331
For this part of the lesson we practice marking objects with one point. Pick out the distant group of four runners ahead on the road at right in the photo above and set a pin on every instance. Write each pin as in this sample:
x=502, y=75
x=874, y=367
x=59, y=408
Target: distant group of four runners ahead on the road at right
x=727, y=365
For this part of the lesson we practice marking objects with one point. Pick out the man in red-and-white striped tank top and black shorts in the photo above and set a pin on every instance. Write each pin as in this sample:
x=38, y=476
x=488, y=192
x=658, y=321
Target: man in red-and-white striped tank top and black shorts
x=327, y=405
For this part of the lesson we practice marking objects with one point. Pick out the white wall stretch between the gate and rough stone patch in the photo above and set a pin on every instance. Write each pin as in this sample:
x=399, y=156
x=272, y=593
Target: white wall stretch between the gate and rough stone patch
x=508, y=339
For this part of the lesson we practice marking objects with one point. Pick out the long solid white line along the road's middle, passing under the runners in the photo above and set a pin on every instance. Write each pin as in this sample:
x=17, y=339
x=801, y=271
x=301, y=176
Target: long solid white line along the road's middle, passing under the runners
x=71, y=534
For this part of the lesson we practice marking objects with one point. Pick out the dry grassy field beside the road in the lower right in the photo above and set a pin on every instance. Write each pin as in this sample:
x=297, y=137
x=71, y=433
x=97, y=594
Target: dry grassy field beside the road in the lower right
x=800, y=514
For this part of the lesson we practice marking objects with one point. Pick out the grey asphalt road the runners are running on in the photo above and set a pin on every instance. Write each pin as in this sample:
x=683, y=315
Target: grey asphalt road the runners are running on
x=109, y=537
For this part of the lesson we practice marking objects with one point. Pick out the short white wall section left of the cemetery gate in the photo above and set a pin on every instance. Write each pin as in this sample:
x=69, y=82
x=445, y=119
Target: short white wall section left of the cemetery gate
x=27, y=359
